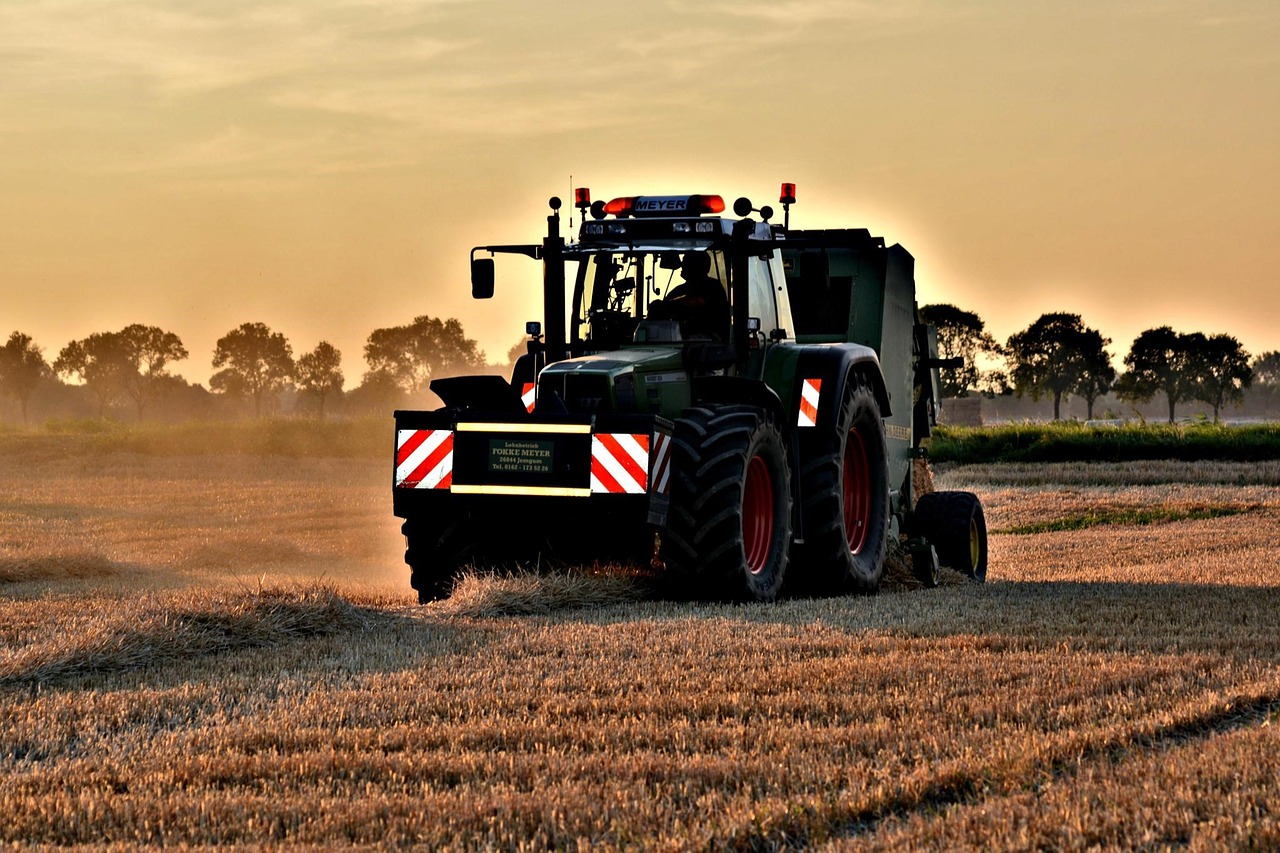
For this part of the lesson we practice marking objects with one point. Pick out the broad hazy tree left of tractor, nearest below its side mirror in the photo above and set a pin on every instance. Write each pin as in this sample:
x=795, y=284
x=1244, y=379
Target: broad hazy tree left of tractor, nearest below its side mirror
x=412, y=355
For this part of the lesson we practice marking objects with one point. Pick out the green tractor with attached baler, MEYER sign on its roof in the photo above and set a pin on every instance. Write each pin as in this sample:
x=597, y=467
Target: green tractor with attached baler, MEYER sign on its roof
x=747, y=404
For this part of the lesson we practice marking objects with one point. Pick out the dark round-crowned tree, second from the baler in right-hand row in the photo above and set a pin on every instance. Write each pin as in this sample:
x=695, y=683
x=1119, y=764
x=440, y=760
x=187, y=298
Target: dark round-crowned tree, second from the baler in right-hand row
x=1058, y=355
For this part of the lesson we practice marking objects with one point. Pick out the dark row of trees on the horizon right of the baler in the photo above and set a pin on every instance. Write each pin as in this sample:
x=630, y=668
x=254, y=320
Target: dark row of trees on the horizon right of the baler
x=1059, y=357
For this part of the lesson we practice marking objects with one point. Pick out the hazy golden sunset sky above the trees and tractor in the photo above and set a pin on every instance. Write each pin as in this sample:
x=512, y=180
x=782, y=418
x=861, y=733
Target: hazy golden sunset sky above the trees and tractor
x=326, y=166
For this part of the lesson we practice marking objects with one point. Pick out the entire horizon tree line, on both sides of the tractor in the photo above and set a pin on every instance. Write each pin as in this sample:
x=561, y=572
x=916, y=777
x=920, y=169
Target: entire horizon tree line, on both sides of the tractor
x=1055, y=358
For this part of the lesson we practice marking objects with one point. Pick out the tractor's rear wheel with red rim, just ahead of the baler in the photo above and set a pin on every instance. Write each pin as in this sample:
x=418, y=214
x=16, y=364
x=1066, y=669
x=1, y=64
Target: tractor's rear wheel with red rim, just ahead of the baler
x=845, y=500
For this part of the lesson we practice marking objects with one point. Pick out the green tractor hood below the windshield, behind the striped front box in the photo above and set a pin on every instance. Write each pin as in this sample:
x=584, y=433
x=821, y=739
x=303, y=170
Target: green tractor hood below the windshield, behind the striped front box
x=634, y=381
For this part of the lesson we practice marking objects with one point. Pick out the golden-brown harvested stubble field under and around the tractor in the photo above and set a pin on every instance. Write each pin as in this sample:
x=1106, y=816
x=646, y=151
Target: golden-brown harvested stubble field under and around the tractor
x=216, y=650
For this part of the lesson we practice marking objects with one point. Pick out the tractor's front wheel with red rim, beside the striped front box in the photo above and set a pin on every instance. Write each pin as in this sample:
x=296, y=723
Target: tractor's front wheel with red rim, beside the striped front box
x=730, y=519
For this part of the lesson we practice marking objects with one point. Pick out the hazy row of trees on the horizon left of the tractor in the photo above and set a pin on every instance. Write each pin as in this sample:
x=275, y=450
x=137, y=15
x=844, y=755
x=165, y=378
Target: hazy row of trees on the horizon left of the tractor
x=255, y=368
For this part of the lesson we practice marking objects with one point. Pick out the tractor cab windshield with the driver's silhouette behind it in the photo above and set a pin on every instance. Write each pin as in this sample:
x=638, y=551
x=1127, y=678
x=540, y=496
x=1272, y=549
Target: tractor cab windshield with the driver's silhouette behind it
x=614, y=291
